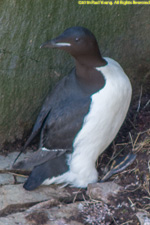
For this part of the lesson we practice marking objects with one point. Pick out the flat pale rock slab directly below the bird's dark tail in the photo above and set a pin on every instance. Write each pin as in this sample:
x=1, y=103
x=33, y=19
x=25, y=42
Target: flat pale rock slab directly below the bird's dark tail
x=14, y=197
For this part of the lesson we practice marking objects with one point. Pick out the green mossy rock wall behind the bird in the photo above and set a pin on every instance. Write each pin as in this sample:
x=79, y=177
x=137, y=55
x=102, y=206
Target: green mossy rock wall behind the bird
x=27, y=72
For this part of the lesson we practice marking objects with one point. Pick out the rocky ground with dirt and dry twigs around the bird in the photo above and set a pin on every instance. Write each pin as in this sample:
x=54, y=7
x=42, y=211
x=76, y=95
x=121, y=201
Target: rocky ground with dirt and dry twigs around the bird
x=123, y=200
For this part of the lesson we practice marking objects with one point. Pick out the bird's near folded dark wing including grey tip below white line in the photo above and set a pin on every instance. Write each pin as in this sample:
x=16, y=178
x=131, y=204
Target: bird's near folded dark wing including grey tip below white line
x=58, y=132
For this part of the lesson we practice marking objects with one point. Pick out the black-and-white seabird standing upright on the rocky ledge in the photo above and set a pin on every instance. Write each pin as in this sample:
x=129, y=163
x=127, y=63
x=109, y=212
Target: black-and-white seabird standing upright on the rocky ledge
x=80, y=117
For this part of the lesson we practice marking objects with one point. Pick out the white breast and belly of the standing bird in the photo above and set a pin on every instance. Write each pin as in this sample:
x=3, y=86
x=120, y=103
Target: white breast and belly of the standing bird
x=108, y=110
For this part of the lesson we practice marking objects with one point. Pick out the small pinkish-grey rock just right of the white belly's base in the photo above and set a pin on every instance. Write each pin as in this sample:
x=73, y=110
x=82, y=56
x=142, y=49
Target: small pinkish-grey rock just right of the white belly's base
x=102, y=191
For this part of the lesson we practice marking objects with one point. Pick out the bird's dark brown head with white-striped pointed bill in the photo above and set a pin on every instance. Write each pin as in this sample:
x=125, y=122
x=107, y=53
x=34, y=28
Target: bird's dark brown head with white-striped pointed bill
x=78, y=41
